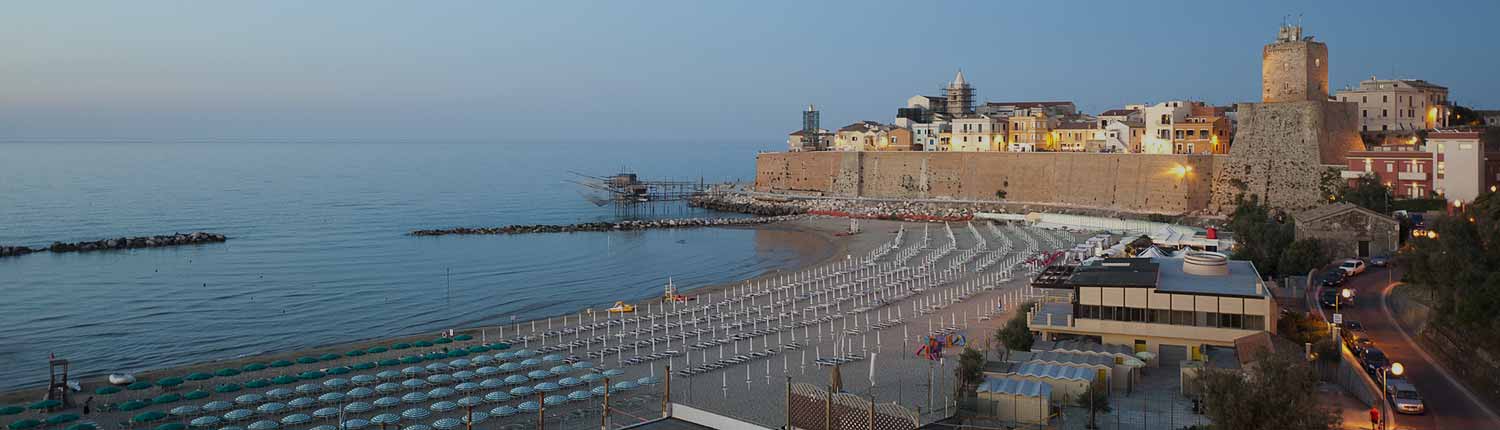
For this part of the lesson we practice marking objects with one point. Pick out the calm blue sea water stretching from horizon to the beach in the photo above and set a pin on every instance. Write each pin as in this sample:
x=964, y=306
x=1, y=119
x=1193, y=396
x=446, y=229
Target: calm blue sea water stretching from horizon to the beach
x=317, y=251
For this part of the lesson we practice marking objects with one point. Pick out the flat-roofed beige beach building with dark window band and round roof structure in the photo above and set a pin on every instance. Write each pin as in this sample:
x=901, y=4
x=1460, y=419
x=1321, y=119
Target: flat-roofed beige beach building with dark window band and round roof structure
x=1174, y=308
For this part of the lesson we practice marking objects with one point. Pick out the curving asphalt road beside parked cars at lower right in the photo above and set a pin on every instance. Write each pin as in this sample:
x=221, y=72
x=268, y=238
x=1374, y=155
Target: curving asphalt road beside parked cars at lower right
x=1448, y=404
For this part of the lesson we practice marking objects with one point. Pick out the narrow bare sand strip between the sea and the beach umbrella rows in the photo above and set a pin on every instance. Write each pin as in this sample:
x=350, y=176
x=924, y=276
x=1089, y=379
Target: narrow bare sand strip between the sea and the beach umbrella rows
x=818, y=231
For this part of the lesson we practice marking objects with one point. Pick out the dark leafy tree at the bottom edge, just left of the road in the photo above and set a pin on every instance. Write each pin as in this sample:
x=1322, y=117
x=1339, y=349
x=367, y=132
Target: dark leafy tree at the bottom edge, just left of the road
x=1280, y=392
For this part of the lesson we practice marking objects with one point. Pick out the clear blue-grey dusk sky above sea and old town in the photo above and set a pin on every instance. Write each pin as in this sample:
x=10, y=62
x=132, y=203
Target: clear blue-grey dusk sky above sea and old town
x=664, y=71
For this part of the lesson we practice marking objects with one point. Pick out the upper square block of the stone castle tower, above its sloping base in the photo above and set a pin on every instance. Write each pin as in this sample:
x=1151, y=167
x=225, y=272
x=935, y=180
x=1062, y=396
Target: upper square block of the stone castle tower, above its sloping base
x=1294, y=68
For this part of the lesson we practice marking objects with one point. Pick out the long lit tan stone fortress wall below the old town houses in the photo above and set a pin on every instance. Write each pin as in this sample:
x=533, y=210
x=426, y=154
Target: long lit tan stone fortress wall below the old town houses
x=1144, y=184
